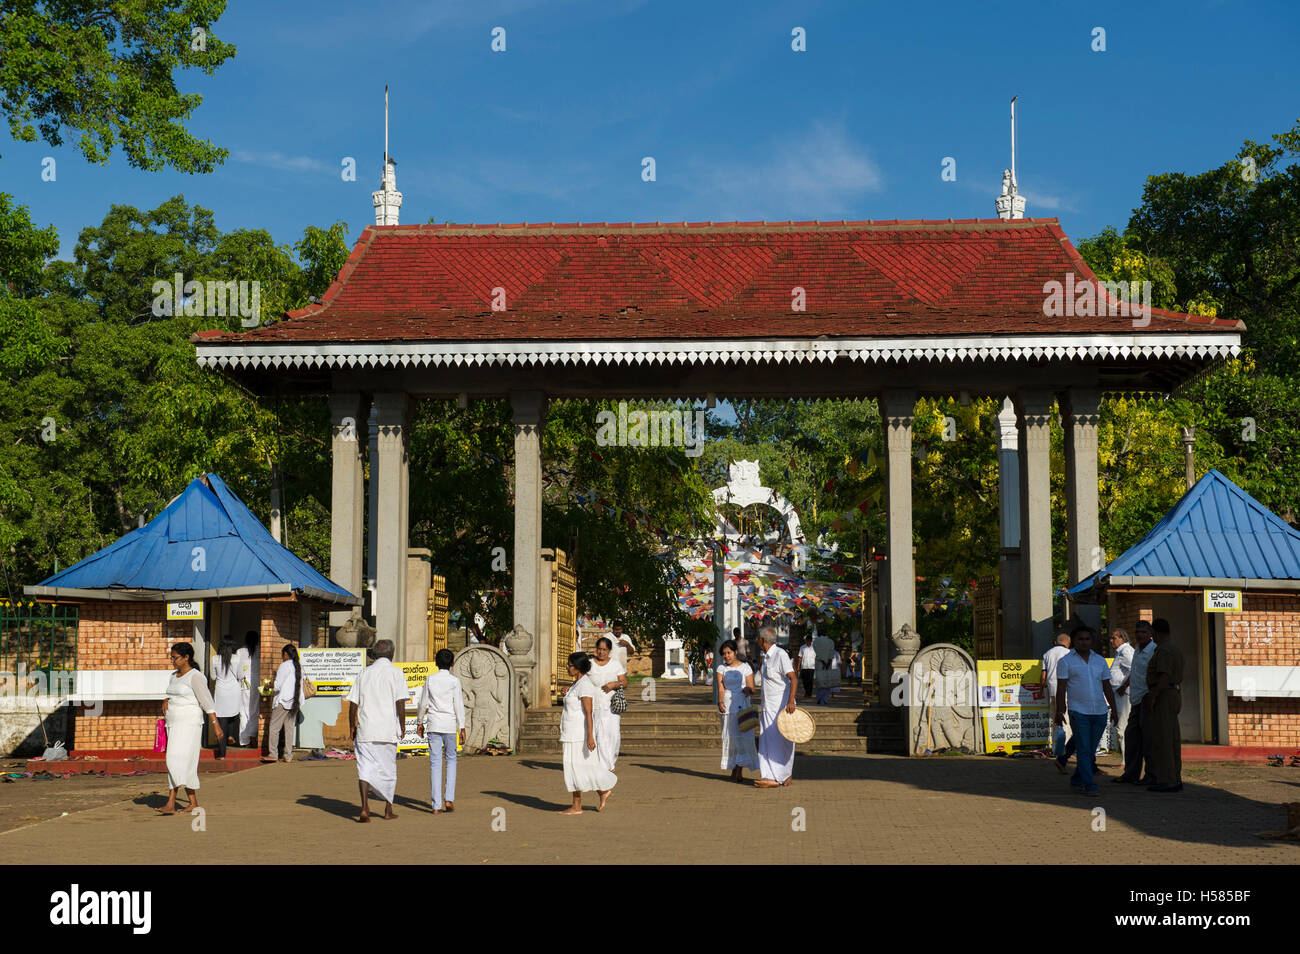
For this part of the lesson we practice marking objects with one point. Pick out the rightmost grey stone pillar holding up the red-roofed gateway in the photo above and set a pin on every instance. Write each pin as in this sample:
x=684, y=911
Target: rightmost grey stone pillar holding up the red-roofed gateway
x=1081, y=414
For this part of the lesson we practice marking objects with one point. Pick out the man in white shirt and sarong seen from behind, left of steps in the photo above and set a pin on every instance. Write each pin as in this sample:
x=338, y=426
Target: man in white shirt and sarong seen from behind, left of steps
x=378, y=721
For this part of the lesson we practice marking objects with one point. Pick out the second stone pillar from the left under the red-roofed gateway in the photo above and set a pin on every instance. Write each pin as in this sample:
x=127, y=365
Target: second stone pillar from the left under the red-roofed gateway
x=393, y=510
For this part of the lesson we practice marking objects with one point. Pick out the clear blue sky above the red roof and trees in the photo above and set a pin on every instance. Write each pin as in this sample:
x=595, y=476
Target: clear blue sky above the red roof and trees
x=740, y=127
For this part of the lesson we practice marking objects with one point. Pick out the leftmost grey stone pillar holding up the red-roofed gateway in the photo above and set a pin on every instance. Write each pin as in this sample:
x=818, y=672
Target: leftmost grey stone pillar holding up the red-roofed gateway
x=349, y=414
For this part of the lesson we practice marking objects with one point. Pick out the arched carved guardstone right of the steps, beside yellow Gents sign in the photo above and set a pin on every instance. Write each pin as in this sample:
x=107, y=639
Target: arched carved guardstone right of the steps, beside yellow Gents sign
x=943, y=701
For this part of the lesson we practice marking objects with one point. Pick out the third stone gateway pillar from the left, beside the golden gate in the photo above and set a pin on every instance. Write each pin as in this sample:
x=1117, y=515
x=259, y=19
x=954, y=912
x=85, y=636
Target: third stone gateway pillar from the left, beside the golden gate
x=530, y=413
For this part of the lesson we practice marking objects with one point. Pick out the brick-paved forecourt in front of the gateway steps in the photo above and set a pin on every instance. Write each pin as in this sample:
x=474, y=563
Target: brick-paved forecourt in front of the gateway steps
x=677, y=810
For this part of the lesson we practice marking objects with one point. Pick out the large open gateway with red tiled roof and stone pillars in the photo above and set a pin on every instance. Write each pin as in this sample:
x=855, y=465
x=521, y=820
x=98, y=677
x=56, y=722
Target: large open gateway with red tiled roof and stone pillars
x=731, y=310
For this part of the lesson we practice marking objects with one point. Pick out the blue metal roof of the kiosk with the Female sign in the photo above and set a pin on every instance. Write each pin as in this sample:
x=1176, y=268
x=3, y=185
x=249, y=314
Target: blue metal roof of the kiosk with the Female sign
x=206, y=544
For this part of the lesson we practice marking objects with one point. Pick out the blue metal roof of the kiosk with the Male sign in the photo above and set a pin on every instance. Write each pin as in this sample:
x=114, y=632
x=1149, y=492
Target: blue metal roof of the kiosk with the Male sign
x=1217, y=534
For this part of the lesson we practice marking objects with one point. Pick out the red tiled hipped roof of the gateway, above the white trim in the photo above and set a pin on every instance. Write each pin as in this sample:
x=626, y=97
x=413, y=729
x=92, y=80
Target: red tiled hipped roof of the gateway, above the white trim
x=701, y=281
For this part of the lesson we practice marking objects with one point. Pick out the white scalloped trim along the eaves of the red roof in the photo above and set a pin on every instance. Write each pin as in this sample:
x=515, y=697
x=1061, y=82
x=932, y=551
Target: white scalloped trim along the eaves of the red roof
x=868, y=350
